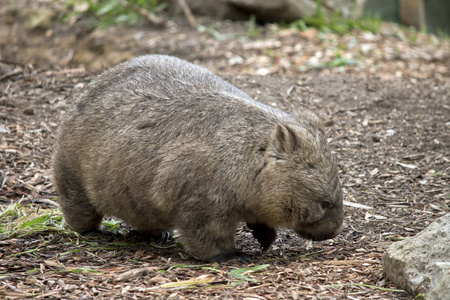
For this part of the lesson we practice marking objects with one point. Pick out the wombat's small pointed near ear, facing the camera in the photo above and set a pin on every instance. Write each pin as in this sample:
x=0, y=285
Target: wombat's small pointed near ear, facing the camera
x=284, y=139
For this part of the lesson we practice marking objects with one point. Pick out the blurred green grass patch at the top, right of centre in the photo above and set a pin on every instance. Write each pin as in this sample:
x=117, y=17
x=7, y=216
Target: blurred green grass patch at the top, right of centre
x=336, y=22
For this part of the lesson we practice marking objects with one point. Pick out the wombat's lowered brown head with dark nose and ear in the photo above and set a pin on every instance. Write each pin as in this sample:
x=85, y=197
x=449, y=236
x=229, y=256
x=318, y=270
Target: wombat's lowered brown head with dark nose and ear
x=301, y=184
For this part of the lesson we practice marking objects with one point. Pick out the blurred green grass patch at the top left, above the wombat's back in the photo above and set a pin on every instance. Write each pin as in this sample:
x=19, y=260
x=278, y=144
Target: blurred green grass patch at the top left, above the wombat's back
x=110, y=12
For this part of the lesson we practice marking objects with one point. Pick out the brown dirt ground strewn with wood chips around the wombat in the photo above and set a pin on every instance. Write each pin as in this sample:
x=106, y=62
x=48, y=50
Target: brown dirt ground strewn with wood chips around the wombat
x=387, y=117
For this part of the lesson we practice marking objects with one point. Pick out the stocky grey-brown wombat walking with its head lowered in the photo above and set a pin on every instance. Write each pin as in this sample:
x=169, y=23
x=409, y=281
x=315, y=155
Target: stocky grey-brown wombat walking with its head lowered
x=164, y=144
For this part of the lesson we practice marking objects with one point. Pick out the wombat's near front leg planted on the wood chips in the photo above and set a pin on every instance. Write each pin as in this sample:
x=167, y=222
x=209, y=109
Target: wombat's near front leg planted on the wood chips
x=211, y=240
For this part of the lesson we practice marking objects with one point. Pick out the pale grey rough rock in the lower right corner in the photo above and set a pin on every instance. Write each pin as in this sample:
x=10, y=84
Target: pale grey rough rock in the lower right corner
x=411, y=263
